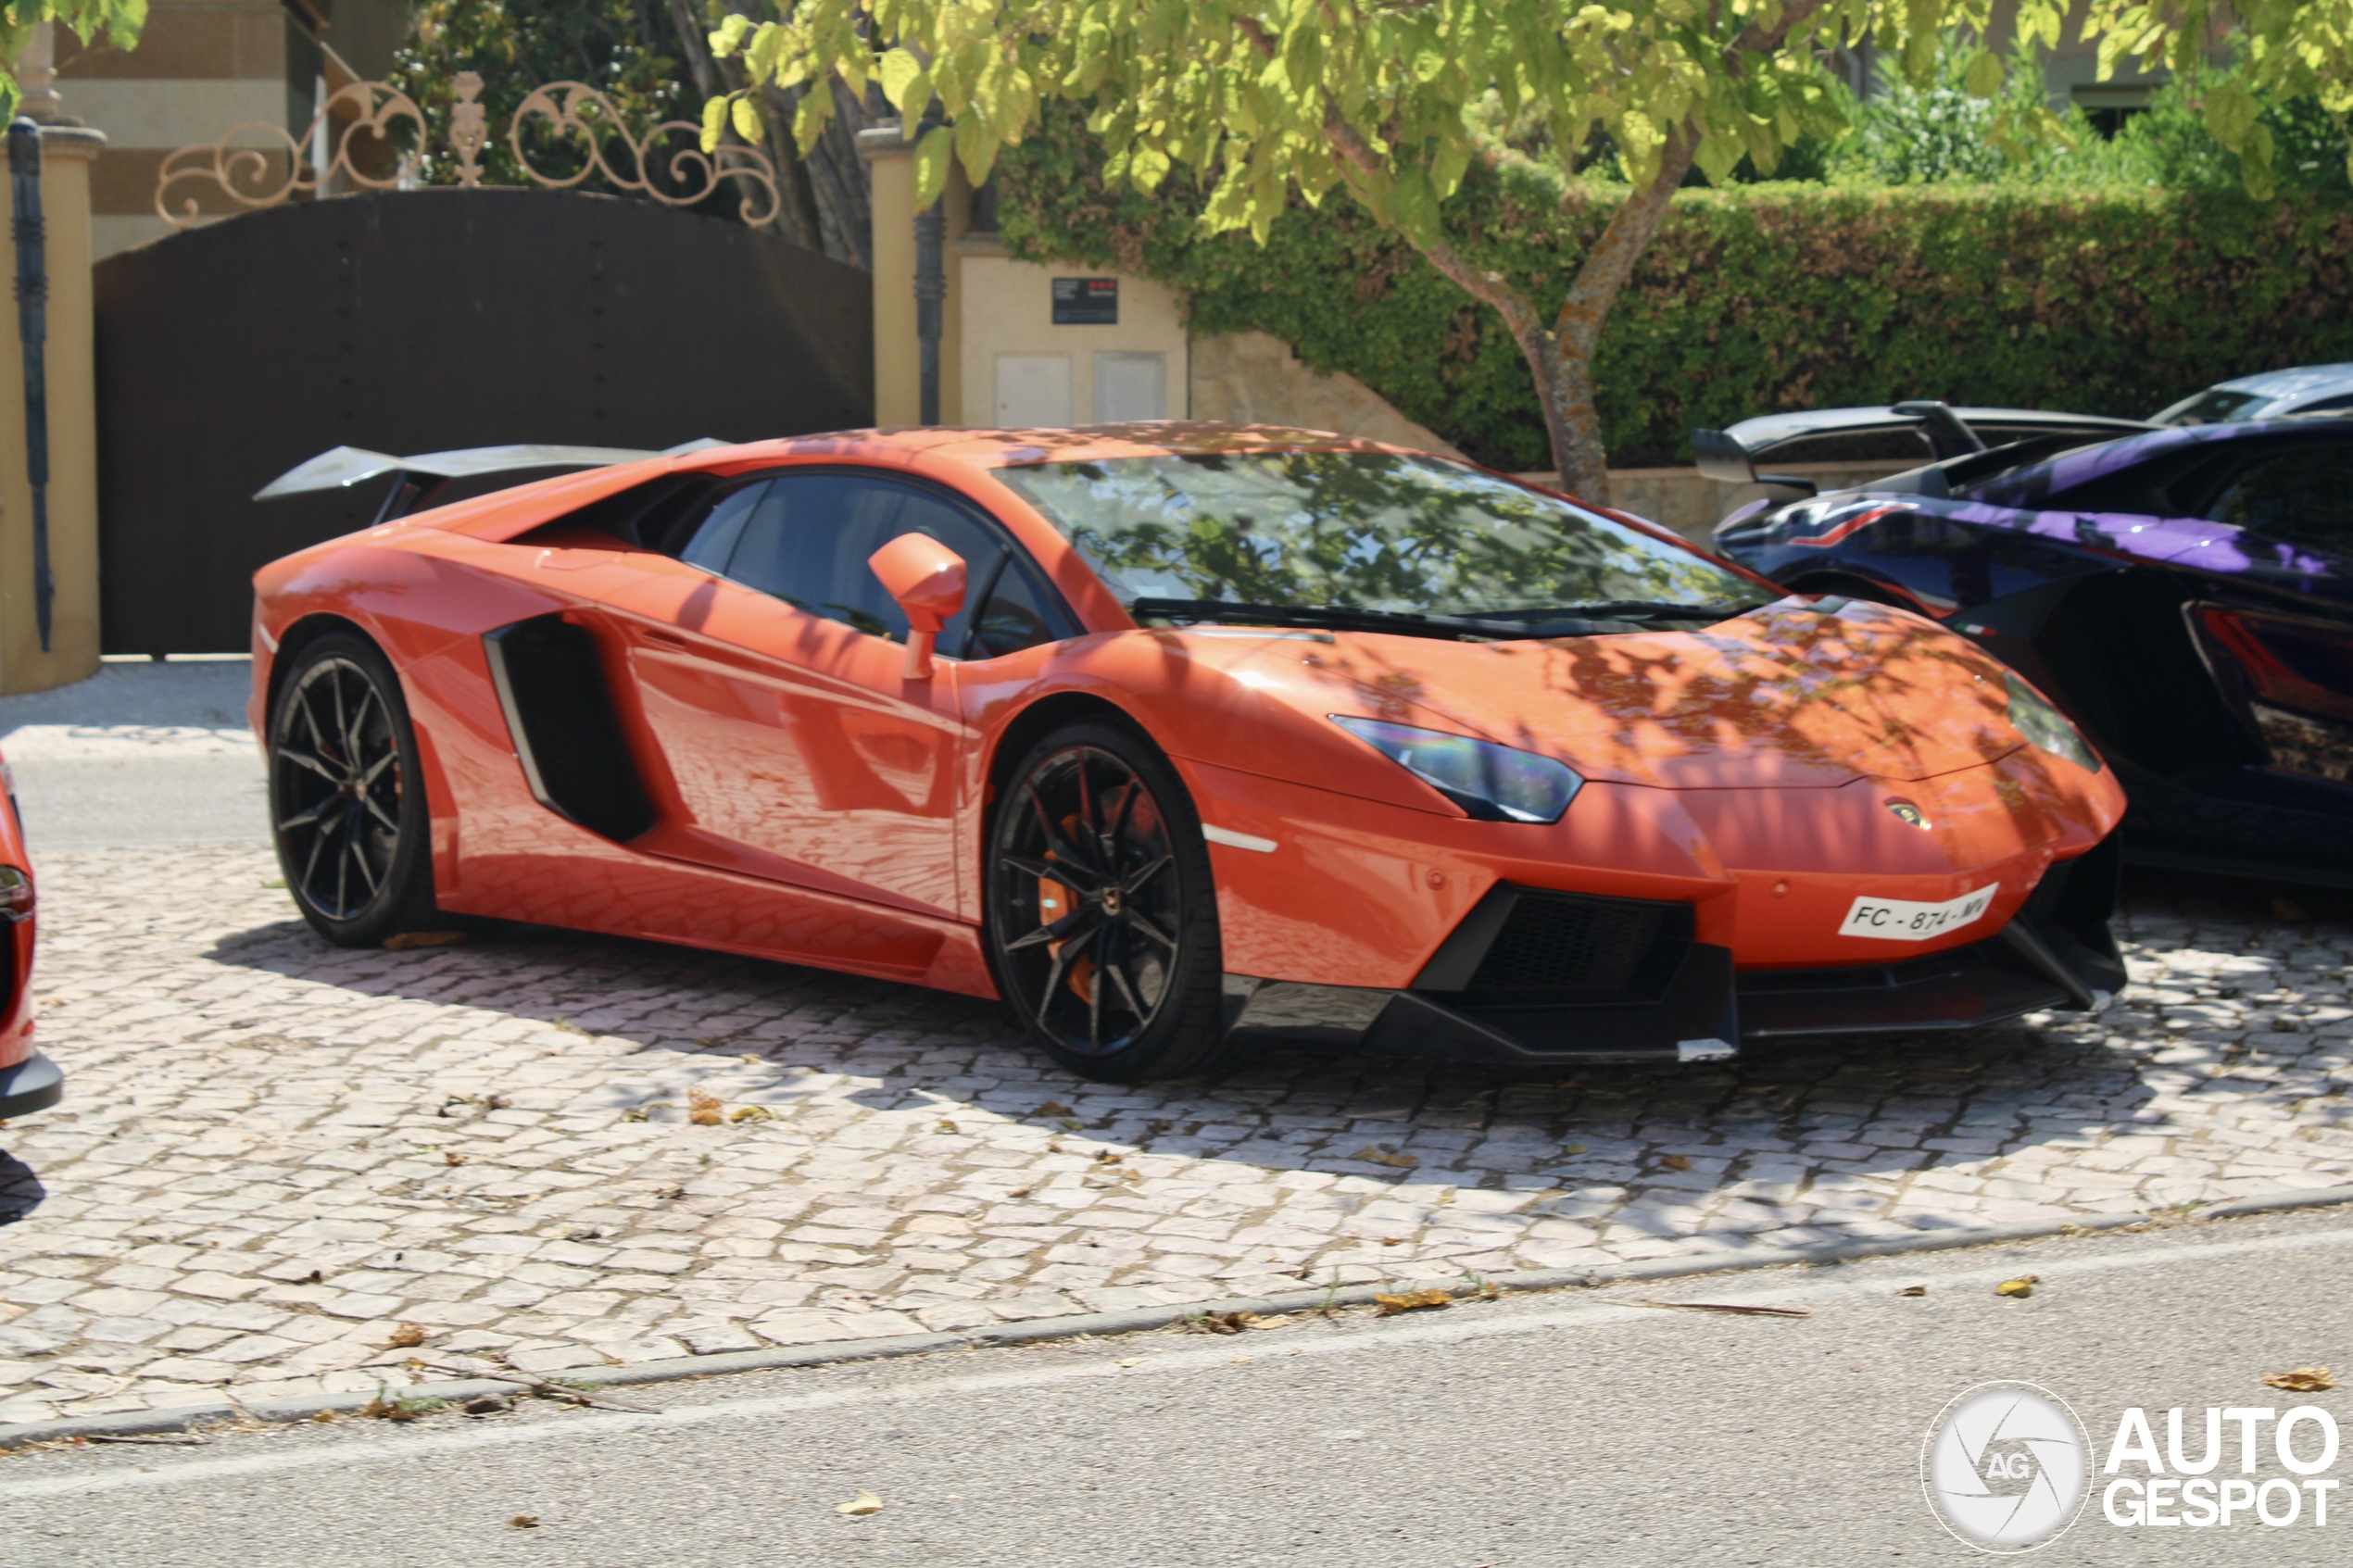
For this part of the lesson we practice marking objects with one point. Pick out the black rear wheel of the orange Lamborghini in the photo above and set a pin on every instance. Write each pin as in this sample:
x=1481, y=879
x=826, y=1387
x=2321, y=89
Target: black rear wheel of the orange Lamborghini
x=347, y=800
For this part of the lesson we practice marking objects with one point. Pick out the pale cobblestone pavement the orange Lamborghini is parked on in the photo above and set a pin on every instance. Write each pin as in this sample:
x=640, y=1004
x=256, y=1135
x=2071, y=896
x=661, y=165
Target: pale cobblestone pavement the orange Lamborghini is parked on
x=276, y=1155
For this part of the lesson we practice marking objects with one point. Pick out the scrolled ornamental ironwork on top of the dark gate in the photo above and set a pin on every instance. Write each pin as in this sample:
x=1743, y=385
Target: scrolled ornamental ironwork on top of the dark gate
x=667, y=163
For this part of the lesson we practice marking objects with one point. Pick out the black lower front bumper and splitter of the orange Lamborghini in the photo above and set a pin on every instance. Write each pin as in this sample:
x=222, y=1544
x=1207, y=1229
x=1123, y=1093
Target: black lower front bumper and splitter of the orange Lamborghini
x=1542, y=979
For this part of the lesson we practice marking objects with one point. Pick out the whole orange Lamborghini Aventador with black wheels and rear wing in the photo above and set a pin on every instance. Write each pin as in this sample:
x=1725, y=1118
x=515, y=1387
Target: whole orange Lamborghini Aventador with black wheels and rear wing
x=1178, y=739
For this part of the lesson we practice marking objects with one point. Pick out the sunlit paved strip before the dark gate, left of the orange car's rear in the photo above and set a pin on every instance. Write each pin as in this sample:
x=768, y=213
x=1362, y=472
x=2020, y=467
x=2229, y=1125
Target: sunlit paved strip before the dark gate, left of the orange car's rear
x=142, y=753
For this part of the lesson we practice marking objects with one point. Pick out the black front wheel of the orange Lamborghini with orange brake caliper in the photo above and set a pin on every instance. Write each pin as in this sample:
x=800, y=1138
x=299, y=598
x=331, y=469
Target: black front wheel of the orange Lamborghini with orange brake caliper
x=1102, y=911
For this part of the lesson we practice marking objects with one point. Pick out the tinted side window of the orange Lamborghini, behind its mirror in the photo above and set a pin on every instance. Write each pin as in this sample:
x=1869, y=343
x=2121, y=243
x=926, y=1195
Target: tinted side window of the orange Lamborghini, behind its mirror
x=813, y=532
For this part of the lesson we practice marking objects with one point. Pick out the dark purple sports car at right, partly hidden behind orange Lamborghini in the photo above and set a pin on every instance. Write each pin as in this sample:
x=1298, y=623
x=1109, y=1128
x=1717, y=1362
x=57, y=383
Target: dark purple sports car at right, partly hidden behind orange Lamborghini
x=2185, y=594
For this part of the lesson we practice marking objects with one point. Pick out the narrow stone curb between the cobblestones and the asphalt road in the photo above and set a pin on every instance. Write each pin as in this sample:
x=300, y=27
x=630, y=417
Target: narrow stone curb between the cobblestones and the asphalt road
x=1142, y=1320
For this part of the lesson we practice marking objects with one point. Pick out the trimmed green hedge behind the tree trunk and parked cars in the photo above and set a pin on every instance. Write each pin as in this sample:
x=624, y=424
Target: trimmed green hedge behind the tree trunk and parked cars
x=1752, y=300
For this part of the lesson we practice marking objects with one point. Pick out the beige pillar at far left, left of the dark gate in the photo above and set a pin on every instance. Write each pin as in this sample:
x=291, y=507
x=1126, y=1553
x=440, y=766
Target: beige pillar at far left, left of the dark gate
x=67, y=154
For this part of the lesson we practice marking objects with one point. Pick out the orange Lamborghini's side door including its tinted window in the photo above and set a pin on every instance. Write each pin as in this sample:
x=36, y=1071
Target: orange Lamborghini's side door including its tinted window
x=775, y=688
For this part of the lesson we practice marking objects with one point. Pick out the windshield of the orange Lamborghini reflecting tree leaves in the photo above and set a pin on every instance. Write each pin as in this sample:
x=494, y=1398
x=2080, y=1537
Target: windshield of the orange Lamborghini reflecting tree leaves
x=1373, y=532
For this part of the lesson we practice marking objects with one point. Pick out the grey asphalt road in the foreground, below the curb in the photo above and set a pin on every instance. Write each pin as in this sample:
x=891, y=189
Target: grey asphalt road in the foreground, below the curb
x=1526, y=1433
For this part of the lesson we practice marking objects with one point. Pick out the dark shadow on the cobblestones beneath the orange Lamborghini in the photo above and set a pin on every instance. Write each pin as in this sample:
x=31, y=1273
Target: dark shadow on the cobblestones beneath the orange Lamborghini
x=1785, y=1111
